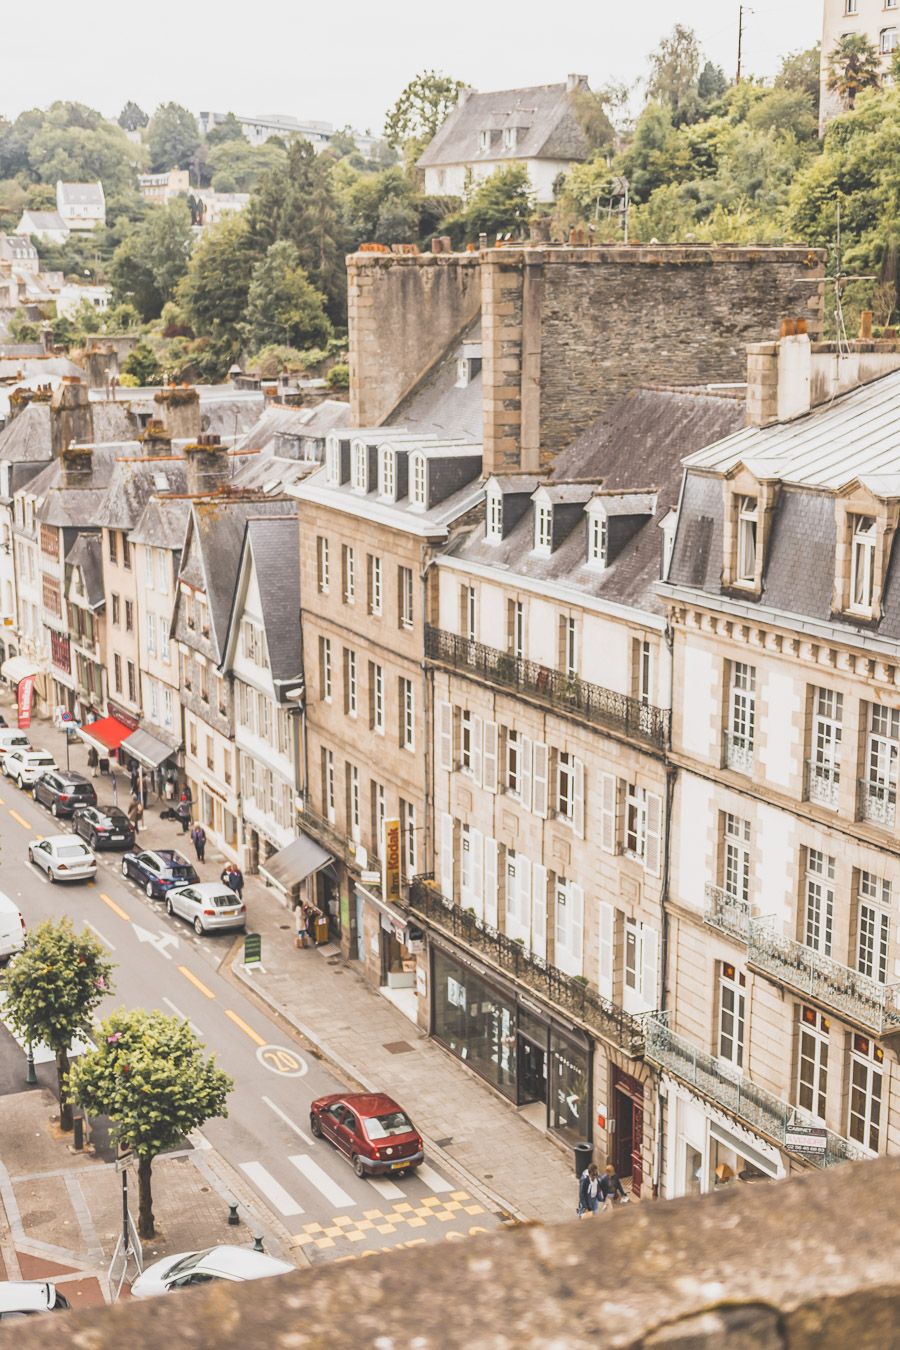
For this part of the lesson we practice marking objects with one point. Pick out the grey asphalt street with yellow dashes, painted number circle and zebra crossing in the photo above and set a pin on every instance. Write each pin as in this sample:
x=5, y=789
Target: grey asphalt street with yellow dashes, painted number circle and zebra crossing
x=163, y=965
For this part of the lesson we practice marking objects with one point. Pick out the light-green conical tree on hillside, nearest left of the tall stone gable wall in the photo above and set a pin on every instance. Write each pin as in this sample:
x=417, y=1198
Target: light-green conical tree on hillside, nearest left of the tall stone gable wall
x=283, y=306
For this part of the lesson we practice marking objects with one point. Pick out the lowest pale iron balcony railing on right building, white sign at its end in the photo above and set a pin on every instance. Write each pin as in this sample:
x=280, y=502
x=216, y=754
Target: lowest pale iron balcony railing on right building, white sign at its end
x=736, y=1094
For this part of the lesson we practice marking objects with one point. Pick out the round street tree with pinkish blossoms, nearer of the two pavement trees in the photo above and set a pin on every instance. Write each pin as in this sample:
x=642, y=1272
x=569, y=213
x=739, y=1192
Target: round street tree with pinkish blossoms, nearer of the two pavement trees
x=150, y=1078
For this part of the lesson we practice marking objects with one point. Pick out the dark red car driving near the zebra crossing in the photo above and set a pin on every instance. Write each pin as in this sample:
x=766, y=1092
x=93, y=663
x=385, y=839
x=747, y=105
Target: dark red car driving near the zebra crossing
x=370, y=1129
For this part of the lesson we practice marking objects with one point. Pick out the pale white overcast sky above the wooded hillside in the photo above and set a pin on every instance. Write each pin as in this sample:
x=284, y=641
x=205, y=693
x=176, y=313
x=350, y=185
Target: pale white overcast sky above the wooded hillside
x=346, y=63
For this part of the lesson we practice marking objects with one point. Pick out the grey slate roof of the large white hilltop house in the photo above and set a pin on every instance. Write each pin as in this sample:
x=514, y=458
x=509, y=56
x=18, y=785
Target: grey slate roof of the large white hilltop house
x=543, y=115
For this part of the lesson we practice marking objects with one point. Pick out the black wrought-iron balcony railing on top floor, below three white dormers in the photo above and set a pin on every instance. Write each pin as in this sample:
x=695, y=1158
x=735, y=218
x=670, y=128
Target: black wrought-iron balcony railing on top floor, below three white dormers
x=570, y=695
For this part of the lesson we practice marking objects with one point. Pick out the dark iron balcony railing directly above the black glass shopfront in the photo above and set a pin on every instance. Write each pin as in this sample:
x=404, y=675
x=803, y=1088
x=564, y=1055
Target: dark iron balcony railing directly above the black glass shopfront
x=569, y=994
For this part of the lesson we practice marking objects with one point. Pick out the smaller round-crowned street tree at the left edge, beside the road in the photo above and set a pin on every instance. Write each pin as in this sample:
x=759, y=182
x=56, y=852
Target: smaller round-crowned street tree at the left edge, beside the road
x=53, y=988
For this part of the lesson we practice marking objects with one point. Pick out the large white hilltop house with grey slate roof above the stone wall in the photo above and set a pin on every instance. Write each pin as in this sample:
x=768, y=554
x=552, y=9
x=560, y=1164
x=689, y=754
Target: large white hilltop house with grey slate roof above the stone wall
x=535, y=128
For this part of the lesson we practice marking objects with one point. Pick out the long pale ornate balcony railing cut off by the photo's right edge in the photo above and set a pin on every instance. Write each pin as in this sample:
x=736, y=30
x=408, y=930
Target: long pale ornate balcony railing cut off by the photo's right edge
x=849, y=993
